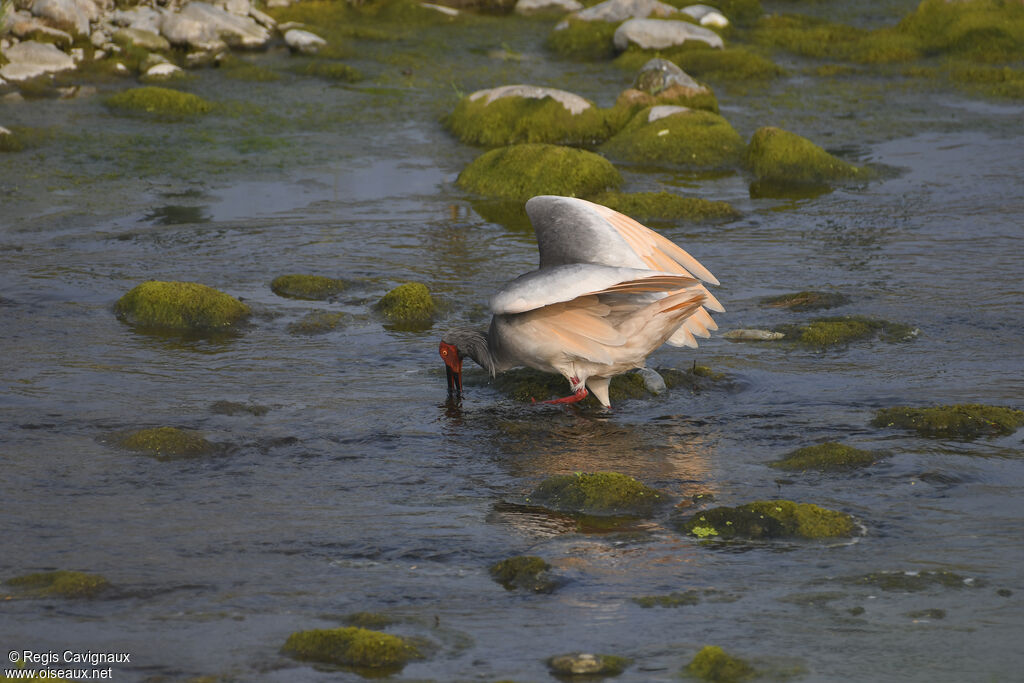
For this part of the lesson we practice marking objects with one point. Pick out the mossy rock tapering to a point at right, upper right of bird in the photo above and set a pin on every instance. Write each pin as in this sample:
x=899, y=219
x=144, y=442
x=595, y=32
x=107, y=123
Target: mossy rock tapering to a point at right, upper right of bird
x=779, y=156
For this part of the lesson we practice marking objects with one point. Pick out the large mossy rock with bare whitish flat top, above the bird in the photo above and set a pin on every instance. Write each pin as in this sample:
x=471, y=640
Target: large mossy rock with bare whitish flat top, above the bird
x=514, y=119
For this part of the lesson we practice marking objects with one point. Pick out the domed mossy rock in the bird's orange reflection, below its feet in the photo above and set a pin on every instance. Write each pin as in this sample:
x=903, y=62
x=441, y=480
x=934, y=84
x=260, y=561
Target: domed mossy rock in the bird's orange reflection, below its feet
x=599, y=494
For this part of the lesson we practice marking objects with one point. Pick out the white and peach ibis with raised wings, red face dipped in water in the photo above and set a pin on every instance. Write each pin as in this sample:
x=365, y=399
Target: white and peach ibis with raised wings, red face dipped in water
x=608, y=293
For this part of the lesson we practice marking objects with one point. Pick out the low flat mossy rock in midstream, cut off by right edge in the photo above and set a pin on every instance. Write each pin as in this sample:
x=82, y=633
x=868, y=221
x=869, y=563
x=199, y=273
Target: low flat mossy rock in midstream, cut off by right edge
x=963, y=421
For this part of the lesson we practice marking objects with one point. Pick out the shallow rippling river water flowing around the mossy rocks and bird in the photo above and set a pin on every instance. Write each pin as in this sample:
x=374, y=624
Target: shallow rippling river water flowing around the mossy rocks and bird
x=360, y=490
